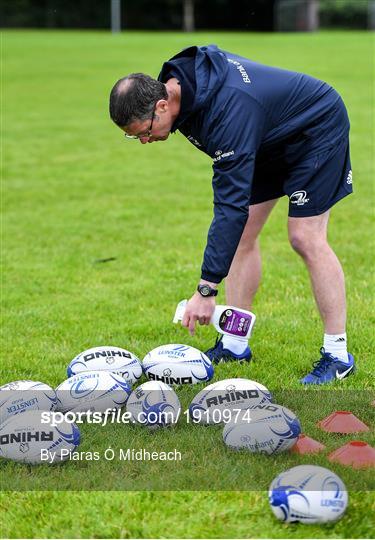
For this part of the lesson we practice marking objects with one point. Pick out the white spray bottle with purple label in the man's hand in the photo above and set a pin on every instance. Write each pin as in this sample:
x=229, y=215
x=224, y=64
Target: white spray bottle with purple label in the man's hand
x=227, y=320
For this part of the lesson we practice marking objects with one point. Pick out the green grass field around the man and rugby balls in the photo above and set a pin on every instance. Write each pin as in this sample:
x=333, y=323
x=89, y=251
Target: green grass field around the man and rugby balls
x=75, y=192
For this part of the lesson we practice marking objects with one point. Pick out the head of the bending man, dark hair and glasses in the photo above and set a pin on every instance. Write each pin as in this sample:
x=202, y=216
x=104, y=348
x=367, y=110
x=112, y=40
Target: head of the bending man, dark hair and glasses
x=141, y=107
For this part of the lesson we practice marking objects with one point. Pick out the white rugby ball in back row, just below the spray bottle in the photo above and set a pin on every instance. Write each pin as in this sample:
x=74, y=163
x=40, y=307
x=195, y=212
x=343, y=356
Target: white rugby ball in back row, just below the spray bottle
x=177, y=364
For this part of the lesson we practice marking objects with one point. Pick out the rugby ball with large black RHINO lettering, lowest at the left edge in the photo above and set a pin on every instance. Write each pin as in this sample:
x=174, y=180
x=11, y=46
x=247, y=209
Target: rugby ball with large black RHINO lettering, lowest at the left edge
x=26, y=438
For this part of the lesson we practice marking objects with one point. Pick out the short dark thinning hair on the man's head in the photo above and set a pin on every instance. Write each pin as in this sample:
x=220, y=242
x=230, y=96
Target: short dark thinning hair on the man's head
x=134, y=97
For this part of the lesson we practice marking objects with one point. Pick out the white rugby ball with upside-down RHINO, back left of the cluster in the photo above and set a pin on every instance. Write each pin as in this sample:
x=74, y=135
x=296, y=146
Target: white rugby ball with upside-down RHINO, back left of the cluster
x=107, y=358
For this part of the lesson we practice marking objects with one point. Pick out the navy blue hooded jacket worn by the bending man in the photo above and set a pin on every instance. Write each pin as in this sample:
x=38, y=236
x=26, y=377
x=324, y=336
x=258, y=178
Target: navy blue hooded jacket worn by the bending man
x=236, y=110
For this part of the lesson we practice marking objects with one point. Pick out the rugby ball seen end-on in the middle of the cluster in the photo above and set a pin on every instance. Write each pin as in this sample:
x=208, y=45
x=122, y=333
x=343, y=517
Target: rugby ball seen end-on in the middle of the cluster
x=154, y=404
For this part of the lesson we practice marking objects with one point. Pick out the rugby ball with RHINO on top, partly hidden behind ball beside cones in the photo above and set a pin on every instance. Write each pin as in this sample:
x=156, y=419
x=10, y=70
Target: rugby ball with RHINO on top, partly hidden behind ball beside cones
x=220, y=401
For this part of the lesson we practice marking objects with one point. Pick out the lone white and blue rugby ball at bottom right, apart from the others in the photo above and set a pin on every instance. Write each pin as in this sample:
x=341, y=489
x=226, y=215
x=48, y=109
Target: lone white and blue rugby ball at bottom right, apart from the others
x=308, y=494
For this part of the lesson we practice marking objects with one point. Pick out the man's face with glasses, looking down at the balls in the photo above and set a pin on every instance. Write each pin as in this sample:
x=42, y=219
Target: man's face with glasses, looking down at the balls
x=156, y=129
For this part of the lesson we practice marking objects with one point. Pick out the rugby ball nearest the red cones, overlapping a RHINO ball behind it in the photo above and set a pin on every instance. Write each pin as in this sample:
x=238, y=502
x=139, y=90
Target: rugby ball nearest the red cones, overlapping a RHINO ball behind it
x=268, y=429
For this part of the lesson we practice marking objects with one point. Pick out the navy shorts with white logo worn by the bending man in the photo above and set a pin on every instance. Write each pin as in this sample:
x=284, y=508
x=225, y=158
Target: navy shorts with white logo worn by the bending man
x=314, y=183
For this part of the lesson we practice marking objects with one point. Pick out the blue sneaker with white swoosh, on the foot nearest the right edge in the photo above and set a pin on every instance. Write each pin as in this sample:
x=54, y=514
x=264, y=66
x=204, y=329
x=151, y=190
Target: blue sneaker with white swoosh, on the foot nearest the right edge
x=328, y=369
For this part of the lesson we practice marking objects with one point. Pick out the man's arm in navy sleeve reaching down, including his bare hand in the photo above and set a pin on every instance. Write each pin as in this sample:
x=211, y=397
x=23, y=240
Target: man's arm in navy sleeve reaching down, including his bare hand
x=233, y=143
